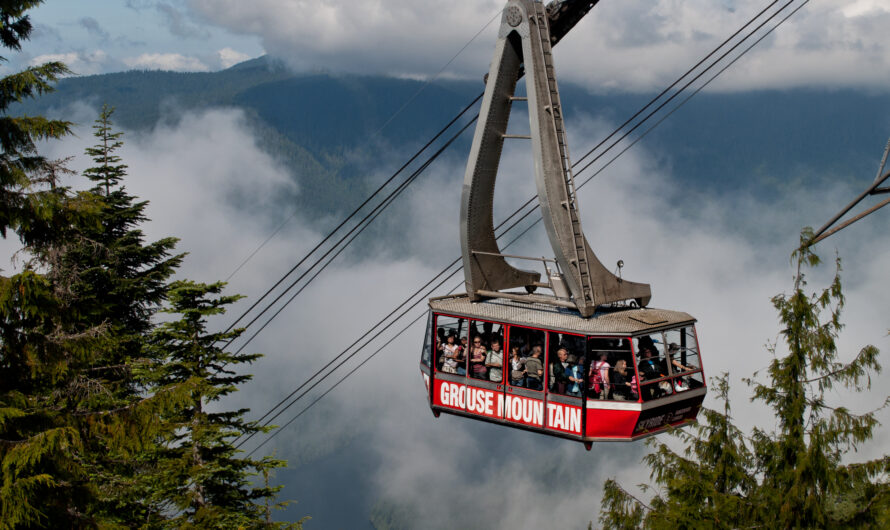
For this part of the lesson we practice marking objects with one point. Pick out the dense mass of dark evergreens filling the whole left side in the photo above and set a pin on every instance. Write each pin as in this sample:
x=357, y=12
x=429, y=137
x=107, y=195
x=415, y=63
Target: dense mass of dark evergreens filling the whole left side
x=93, y=409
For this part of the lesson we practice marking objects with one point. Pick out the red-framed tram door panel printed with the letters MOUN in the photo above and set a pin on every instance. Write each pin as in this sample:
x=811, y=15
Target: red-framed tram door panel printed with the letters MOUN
x=525, y=372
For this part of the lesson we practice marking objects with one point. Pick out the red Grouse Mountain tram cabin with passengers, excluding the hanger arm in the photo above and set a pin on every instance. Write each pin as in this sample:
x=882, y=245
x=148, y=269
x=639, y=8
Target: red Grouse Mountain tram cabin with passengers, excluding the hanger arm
x=646, y=402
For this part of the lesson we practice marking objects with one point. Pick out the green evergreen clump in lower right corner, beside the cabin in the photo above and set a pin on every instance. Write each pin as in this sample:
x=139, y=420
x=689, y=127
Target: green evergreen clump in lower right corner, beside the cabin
x=797, y=476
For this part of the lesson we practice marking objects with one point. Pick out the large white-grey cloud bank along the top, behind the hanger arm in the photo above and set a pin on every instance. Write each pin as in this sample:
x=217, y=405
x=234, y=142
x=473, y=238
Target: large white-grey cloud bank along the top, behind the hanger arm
x=636, y=46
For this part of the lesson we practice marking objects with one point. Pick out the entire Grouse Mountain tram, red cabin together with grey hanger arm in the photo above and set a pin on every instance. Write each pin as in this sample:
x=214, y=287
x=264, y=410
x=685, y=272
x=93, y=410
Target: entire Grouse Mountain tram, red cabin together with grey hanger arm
x=588, y=362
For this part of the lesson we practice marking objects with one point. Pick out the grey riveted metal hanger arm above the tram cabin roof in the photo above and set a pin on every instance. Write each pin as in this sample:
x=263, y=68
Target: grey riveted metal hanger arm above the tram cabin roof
x=525, y=41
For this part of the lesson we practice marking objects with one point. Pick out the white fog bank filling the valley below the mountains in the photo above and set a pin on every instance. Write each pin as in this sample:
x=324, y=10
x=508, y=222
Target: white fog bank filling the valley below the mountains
x=373, y=444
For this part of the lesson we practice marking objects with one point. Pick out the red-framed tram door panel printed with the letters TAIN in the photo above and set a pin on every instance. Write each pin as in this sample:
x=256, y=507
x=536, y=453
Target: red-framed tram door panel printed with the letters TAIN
x=567, y=370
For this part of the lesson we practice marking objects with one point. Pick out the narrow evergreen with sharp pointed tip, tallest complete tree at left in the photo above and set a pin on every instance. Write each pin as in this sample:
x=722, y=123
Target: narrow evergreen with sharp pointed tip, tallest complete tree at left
x=120, y=282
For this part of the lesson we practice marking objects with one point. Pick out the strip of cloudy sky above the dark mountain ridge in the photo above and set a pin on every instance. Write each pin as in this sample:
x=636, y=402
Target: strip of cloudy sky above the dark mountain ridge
x=622, y=45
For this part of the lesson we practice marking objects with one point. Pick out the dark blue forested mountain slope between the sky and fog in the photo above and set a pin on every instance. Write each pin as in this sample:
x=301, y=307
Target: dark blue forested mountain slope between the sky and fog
x=334, y=129
